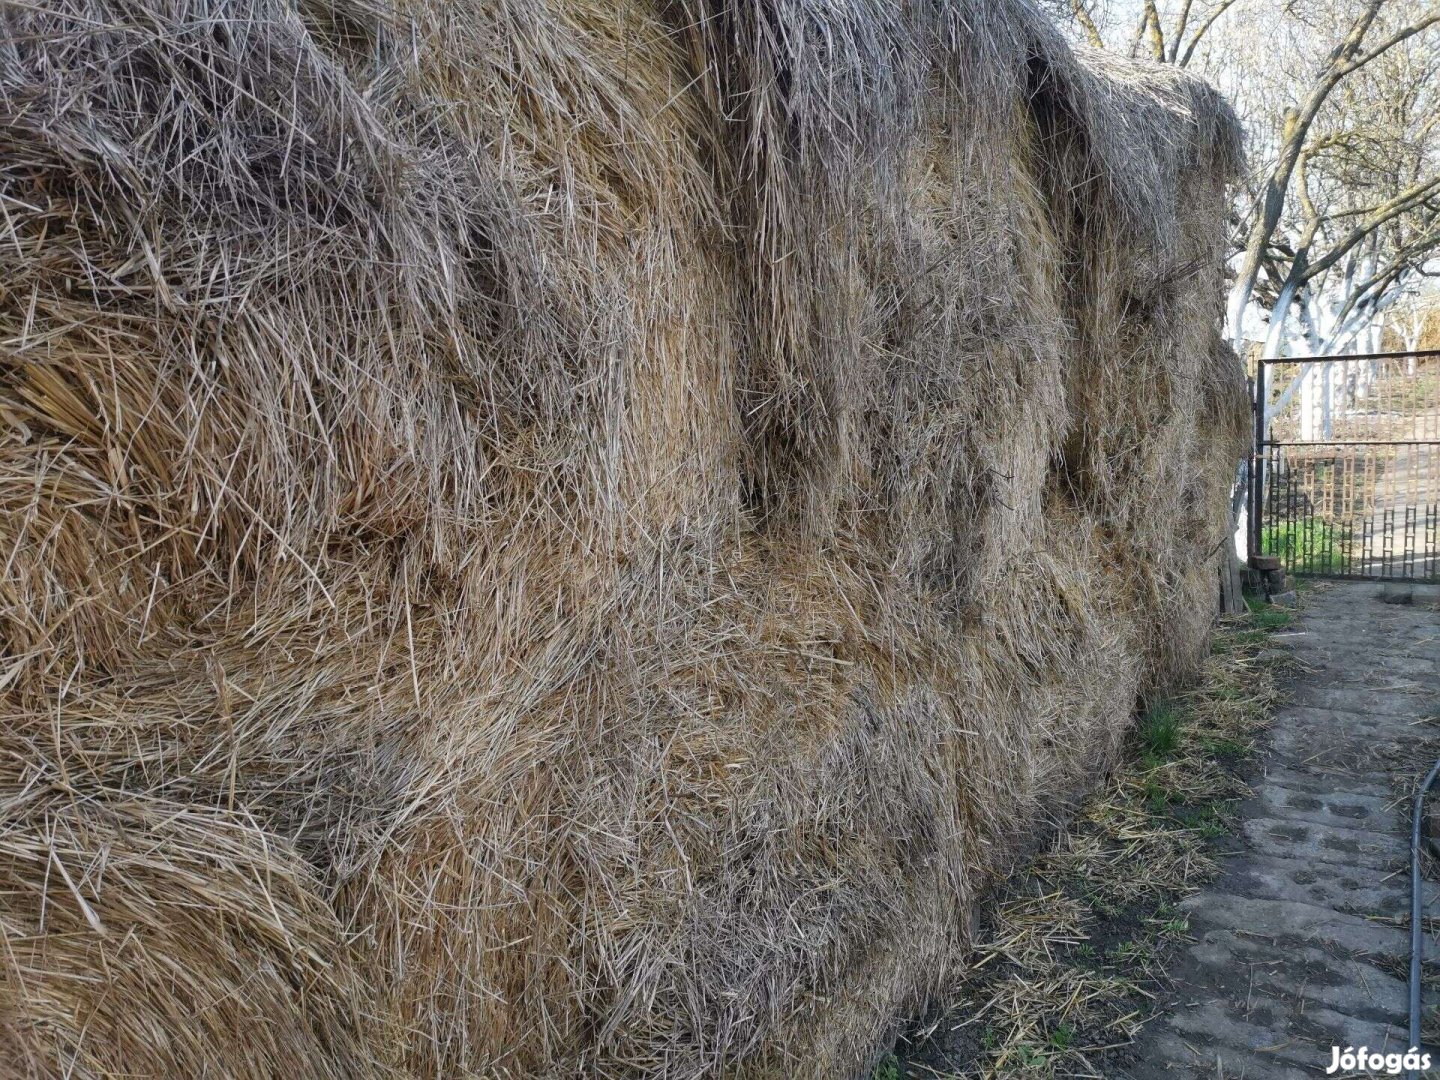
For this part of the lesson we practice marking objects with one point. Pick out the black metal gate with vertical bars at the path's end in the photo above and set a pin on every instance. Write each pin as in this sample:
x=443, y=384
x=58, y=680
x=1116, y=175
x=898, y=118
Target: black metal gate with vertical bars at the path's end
x=1346, y=476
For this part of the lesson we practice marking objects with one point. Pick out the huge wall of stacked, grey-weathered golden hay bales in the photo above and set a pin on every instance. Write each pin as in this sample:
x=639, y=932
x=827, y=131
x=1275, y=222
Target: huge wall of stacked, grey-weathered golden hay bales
x=564, y=538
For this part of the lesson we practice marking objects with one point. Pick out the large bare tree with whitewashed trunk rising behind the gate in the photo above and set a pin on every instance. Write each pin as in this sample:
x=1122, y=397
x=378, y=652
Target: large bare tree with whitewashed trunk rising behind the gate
x=1347, y=205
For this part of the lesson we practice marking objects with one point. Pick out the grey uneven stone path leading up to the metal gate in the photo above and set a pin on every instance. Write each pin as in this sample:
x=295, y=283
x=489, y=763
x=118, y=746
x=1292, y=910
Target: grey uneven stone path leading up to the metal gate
x=1304, y=941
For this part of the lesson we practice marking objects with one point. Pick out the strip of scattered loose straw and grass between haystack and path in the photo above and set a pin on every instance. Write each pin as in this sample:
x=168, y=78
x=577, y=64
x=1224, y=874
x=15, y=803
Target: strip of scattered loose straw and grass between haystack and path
x=1074, y=948
